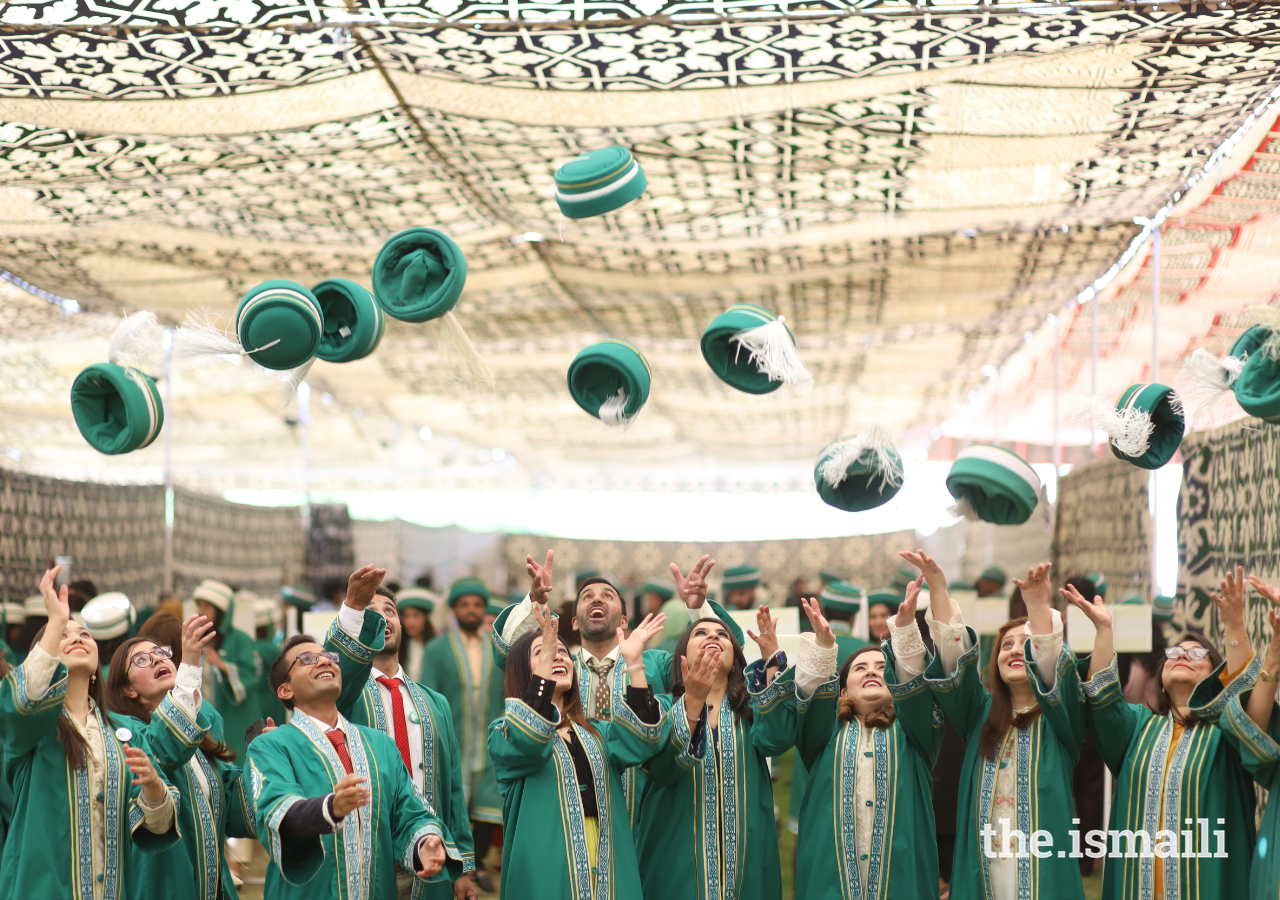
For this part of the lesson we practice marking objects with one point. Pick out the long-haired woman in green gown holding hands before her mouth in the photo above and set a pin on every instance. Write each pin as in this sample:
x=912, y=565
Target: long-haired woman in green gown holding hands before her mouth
x=706, y=829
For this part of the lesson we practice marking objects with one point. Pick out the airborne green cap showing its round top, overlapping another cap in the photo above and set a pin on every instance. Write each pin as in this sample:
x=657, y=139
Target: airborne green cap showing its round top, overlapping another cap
x=280, y=325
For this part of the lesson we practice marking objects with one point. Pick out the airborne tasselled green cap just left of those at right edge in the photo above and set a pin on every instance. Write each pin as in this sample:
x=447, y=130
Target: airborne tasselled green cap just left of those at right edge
x=1145, y=426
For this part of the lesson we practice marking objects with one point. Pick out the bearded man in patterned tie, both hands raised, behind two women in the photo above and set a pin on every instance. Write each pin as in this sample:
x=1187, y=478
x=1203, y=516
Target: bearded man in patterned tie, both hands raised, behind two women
x=600, y=613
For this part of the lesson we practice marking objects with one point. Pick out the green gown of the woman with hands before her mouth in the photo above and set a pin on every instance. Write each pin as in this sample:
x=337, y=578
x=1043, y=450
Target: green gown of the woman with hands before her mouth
x=707, y=829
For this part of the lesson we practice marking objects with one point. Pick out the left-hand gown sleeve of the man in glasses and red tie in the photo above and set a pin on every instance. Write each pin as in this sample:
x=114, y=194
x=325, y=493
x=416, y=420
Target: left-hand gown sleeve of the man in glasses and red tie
x=275, y=793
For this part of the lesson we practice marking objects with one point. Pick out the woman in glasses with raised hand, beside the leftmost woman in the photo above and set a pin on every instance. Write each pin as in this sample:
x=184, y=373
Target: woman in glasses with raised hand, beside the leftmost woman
x=152, y=693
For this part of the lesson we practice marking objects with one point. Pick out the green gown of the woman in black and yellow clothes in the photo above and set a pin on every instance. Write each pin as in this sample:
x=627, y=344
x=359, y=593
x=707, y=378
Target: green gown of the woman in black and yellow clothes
x=545, y=856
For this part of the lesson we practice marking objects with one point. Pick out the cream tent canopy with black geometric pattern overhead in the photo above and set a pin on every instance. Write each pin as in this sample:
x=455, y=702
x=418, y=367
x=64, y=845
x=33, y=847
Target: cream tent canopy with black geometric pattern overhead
x=916, y=188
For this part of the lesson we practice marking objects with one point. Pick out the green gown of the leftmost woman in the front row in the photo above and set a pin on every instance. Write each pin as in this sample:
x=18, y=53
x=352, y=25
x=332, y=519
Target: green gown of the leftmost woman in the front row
x=49, y=851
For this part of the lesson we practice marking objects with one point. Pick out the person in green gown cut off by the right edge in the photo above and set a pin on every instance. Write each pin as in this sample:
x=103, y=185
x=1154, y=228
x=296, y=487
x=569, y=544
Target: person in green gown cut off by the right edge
x=1251, y=720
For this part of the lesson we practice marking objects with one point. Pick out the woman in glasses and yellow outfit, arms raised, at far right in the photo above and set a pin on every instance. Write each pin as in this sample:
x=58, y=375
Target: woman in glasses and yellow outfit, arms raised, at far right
x=1182, y=787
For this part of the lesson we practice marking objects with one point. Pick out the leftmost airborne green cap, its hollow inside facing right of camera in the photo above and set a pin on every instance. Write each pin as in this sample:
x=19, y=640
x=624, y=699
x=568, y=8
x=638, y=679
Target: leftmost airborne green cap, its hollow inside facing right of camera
x=117, y=409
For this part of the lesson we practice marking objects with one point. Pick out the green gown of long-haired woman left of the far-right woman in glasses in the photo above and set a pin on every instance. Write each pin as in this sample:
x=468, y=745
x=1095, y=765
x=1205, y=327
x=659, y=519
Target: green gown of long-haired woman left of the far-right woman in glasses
x=1045, y=755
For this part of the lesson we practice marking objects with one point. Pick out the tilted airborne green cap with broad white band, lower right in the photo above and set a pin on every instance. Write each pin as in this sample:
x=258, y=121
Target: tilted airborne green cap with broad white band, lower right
x=994, y=485
